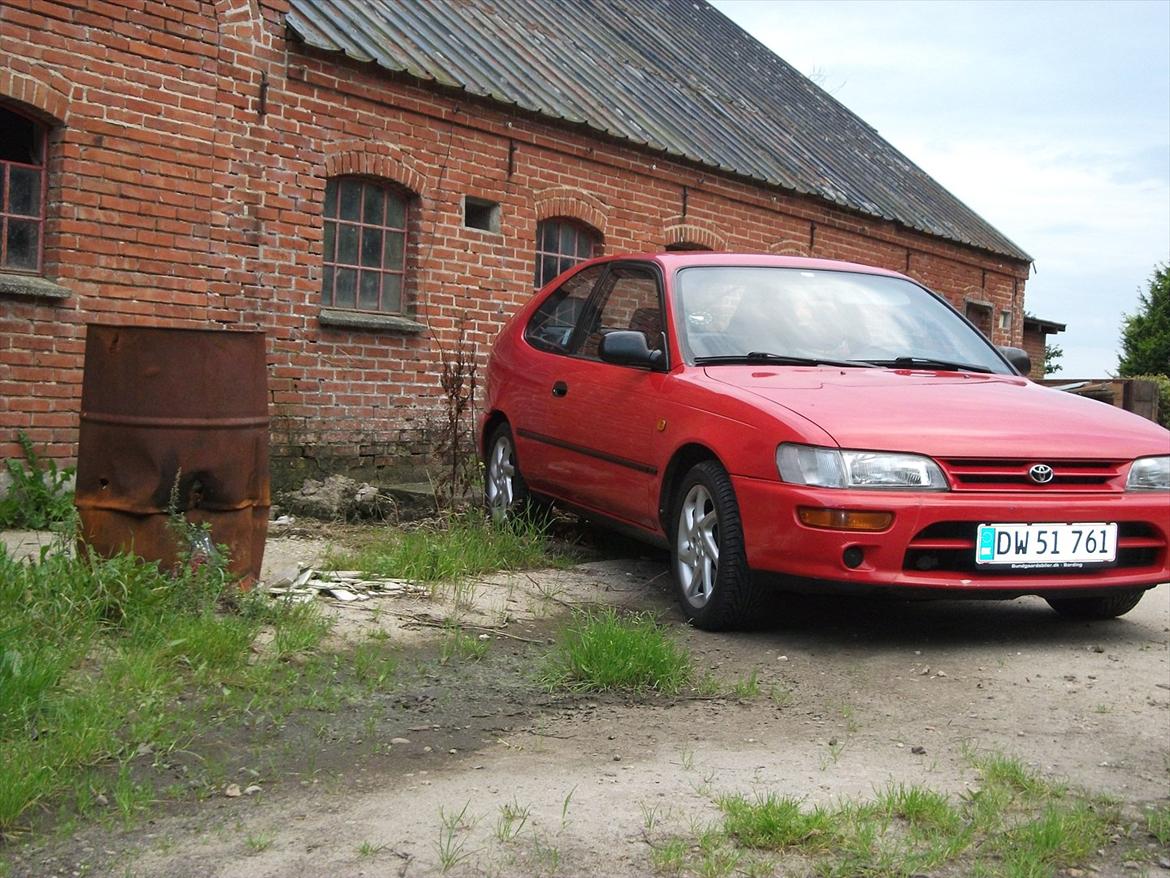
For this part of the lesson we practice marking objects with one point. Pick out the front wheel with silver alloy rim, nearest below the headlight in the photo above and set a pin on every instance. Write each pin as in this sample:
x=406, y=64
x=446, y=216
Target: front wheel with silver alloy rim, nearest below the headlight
x=708, y=554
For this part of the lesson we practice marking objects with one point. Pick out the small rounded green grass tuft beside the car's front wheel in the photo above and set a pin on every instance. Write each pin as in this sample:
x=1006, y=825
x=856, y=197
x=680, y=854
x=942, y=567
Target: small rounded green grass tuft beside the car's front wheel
x=603, y=651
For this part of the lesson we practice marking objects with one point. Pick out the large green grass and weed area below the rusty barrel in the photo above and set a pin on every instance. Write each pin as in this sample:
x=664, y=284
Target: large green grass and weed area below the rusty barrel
x=97, y=656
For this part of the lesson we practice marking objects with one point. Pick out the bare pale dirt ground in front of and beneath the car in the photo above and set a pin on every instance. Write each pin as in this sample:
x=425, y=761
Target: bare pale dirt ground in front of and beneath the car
x=854, y=695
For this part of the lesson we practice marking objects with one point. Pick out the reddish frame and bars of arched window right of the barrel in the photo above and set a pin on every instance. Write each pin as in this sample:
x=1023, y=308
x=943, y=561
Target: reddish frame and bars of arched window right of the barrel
x=332, y=267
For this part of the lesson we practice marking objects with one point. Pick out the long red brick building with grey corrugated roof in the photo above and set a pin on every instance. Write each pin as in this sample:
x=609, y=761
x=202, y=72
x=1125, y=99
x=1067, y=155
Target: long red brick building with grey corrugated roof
x=366, y=182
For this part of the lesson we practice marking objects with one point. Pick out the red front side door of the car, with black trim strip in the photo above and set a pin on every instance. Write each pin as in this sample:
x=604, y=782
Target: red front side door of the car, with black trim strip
x=602, y=415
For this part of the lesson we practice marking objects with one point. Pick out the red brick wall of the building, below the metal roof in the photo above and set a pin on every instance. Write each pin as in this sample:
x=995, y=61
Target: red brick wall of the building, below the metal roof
x=175, y=201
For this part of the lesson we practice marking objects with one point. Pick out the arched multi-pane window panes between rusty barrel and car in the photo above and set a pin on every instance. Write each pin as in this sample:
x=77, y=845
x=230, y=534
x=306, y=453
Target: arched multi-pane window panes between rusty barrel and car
x=366, y=245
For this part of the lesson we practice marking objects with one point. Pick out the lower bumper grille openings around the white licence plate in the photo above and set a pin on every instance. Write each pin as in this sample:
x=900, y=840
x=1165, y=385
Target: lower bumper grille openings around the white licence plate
x=949, y=547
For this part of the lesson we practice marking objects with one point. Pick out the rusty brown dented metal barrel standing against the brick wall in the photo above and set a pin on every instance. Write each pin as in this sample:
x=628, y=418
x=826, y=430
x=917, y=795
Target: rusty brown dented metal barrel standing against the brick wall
x=174, y=421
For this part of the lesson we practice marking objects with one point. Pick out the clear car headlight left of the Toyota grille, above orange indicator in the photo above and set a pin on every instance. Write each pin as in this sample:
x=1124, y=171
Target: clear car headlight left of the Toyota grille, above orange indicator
x=876, y=470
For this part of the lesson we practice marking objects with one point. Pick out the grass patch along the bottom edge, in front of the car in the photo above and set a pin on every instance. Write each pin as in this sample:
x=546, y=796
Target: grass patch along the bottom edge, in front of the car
x=1017, y=825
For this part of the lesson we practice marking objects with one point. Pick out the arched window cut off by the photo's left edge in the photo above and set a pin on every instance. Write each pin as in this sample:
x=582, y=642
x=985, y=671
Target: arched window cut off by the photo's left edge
x=23, y=188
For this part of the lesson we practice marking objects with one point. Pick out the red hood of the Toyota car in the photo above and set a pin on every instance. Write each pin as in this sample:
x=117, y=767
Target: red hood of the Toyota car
x=948, y=414
